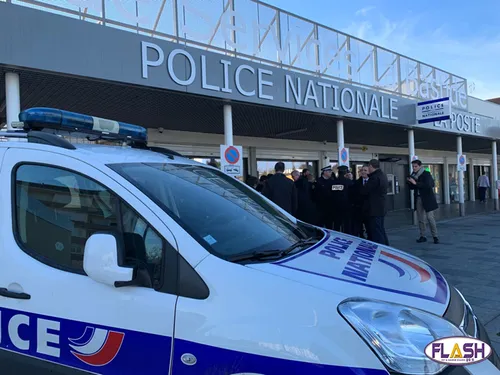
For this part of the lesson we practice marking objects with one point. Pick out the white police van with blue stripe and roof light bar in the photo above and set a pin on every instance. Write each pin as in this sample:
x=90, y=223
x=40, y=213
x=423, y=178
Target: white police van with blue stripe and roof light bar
x=134, y=260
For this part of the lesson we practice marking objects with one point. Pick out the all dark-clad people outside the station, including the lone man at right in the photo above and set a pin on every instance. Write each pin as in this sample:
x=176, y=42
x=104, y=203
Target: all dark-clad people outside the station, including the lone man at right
x=342, y=203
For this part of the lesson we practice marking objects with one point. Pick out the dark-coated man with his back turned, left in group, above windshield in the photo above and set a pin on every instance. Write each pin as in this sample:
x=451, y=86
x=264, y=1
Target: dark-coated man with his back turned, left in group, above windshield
x=281, y=190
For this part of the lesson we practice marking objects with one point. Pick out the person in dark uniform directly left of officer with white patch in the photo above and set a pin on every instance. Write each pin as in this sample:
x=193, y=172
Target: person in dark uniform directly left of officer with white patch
x=324, y=198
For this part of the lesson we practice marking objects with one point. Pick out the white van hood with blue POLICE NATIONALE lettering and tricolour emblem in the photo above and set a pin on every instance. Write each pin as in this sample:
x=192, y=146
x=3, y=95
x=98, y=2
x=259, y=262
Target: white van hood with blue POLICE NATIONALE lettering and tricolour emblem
x=352, y=267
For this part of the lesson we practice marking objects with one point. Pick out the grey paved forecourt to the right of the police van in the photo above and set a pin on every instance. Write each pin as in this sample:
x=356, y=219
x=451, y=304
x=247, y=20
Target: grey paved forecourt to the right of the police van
x=469, y=257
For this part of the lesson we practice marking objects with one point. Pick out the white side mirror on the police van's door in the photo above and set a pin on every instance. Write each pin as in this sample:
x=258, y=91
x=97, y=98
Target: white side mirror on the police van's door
x=100, y=261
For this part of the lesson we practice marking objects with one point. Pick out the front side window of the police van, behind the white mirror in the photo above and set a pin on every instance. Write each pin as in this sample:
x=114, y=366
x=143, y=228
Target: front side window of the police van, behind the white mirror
x=57, y=210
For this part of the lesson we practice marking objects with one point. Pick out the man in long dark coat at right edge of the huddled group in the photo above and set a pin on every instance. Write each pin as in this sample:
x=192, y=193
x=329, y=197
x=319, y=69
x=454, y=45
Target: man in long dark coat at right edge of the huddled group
x=376, y=191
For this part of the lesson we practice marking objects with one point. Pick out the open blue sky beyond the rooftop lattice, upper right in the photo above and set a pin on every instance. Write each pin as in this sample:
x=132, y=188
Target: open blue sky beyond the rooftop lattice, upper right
x=460, y=37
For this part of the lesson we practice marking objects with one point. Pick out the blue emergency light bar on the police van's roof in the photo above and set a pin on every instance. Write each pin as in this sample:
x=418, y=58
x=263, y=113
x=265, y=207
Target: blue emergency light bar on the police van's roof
x=52, y=118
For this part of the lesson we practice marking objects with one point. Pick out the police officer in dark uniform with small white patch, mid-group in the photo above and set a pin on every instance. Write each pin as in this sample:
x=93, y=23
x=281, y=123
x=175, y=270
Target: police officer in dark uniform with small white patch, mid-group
x=341, y=199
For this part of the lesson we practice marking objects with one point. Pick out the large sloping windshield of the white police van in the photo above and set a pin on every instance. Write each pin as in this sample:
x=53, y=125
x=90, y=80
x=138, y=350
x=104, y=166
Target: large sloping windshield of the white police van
x=225, y=216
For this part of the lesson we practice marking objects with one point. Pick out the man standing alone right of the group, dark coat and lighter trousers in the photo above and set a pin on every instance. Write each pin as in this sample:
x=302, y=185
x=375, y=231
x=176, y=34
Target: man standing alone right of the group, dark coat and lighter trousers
x=422, y=184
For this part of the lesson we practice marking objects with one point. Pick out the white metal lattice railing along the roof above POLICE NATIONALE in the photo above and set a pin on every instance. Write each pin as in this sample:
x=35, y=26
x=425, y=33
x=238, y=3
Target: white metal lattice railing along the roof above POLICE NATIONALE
x=252, y=30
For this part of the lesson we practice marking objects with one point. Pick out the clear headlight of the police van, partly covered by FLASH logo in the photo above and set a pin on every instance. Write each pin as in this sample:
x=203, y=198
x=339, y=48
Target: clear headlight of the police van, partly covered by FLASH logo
x=398, y=334
